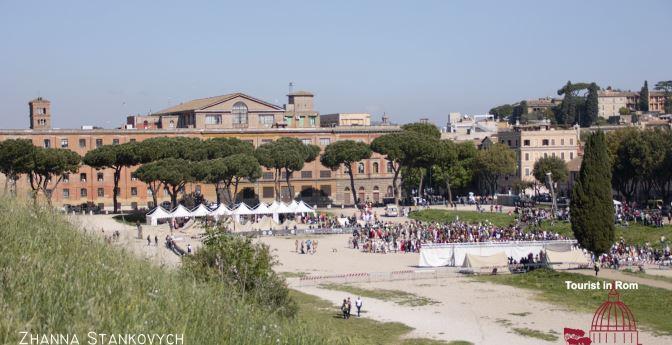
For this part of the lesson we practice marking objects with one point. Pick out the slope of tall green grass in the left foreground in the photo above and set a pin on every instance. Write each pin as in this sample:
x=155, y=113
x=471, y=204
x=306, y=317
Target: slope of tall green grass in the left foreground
x=54, y=279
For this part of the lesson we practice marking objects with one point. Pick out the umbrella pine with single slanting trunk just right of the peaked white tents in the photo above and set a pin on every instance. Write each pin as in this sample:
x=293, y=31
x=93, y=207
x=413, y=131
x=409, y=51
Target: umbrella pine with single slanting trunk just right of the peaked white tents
x=345, y=153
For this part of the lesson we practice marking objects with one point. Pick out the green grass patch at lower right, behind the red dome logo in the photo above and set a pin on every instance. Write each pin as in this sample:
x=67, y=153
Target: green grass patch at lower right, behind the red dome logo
x=652, y=307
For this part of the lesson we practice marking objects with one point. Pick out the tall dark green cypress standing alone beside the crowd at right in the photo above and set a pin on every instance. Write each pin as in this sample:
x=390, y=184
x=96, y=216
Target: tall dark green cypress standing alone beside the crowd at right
x=591, y=208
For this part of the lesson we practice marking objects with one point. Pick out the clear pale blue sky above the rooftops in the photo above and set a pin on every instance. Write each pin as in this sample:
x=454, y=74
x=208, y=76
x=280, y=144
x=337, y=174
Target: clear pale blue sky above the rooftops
x=98, y=62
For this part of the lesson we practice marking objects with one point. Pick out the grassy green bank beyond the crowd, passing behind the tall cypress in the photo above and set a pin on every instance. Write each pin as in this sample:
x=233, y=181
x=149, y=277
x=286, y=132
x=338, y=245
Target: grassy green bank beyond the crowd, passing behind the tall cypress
x=635, y=233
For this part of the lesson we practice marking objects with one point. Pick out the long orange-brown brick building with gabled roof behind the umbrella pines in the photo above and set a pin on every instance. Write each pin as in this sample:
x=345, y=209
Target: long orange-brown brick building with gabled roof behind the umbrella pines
x=234, y=115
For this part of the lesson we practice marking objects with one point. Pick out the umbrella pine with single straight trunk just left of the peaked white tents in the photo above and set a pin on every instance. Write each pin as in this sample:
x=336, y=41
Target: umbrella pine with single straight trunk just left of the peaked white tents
x=115, y=157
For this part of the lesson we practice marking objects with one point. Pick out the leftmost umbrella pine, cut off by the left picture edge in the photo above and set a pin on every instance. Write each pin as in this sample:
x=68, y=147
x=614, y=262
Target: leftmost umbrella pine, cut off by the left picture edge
x=14, y=160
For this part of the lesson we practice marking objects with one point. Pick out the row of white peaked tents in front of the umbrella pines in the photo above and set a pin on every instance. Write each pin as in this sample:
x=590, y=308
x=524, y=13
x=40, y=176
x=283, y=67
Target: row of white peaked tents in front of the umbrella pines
x=275, y=209
